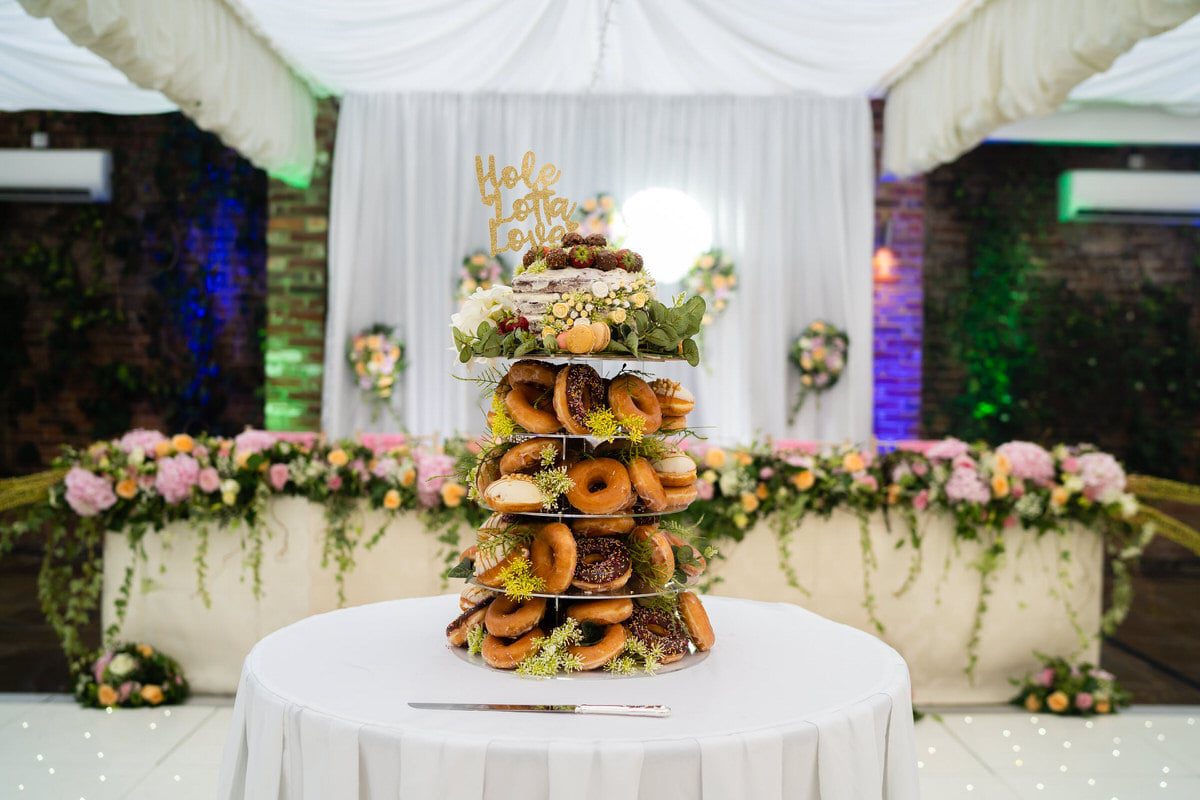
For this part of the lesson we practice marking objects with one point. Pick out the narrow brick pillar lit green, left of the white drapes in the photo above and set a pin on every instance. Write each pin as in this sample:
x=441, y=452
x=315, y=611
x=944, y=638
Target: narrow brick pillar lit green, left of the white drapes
x=296, y=303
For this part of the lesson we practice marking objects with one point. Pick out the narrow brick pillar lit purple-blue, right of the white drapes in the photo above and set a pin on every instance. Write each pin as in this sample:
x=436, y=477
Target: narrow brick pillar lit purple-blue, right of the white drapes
x=899, y=321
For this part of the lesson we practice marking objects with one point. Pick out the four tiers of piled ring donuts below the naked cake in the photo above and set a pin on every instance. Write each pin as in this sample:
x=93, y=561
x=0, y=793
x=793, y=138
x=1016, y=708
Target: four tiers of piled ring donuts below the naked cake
x=579, y=568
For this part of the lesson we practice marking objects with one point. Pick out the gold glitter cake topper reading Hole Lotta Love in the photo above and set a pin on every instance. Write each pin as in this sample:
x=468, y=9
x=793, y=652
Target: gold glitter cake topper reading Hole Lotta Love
x=538, y=210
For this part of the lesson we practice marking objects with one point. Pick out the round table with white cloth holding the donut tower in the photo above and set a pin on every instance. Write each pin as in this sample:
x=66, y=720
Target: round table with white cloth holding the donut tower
x=788, y=706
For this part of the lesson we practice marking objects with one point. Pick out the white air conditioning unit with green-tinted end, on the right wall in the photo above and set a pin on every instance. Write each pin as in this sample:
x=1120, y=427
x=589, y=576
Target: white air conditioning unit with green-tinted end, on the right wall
x=1163, y=199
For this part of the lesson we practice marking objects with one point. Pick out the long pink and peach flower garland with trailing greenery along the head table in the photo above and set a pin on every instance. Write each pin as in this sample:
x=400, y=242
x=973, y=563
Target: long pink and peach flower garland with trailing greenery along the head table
x=145, y=480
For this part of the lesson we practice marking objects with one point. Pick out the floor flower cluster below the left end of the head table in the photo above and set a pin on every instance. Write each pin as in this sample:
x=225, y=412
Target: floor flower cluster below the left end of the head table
x=131, y=676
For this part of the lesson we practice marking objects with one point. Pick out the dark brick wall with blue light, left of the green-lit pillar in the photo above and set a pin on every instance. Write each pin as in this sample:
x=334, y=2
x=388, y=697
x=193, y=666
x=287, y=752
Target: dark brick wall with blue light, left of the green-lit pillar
x=158, y=294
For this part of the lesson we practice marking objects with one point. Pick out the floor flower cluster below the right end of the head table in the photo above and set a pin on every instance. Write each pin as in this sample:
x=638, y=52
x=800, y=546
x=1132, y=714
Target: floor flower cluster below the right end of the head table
x=1060, y=688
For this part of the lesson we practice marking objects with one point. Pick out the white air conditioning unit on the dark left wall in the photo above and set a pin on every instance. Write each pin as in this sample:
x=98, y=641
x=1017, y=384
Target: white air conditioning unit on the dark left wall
x=56, y=176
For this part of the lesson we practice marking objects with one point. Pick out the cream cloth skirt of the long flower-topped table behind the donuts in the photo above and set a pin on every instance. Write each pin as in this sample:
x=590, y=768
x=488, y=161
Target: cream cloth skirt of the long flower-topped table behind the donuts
x=1027, y=611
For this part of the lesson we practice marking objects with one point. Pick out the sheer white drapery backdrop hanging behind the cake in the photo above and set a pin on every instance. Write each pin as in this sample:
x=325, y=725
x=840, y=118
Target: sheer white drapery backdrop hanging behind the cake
x=788, y=182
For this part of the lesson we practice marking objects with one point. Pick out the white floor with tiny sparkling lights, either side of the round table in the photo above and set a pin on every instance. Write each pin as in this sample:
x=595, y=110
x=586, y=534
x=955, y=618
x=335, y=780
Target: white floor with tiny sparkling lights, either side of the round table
x=52, y=749
